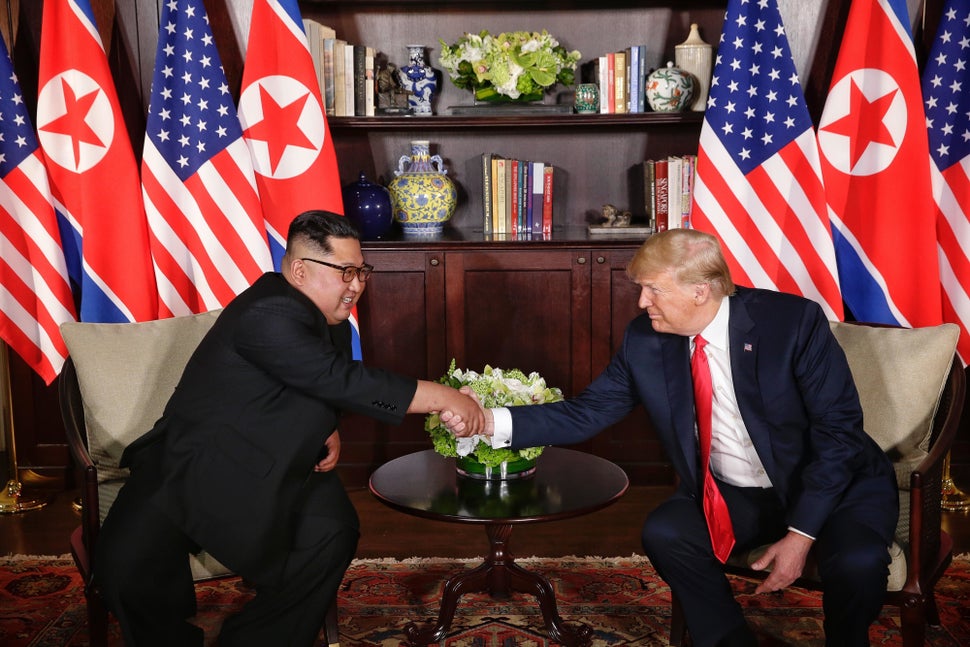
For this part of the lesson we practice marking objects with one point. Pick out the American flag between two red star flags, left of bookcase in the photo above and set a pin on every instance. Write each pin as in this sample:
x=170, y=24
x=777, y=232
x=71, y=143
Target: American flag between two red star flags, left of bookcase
x=208, y=237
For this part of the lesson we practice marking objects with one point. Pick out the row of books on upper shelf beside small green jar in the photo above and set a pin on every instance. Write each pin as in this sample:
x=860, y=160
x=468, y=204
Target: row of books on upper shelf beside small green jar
x=621, y=77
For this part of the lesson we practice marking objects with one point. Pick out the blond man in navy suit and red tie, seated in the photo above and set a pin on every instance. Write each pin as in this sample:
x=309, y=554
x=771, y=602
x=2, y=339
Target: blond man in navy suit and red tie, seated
x=788, y=452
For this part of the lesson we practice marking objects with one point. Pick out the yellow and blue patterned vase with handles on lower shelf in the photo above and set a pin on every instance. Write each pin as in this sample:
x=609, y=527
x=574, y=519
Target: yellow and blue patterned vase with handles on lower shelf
x=422, y=194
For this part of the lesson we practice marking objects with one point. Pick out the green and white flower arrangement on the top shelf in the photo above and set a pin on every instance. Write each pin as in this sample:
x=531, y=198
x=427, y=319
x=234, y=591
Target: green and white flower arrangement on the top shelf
x=511, y=64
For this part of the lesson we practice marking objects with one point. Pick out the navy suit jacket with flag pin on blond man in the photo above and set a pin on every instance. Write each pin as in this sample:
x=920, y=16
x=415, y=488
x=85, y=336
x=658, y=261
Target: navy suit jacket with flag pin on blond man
x=794, y=391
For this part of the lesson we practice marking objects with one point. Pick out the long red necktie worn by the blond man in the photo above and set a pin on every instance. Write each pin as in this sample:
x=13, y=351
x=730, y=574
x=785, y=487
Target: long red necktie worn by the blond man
x=715, y=509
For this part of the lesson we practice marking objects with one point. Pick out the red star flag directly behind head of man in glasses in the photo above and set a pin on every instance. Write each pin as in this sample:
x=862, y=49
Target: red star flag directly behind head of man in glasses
x=285, y=126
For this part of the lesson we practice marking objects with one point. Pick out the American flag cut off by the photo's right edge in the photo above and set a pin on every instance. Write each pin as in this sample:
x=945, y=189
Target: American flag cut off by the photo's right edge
x=946, y=95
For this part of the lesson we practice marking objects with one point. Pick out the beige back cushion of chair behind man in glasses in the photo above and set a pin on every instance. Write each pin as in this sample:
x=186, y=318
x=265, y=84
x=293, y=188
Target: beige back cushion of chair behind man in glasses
x=126, y=374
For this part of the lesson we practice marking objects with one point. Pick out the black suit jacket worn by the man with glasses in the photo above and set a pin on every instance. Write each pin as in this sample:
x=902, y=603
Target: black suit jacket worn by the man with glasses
x=236, y=445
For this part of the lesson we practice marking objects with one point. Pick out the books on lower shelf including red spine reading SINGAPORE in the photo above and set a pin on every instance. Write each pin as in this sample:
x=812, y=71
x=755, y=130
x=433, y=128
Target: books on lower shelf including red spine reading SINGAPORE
x=668, y=191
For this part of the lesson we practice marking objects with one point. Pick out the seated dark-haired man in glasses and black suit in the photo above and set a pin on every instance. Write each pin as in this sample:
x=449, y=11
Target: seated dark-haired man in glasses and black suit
x=240, y=462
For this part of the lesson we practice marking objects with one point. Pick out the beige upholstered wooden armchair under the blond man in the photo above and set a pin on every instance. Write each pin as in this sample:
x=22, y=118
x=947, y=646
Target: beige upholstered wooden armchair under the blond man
x=911, y=385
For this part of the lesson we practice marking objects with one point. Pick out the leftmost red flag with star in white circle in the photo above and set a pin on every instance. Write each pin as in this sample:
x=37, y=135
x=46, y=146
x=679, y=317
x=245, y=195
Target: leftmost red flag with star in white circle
x=92, y=170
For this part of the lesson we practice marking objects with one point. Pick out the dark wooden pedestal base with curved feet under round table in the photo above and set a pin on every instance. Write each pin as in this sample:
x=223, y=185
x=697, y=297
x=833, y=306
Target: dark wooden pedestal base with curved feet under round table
x=499, y=575
